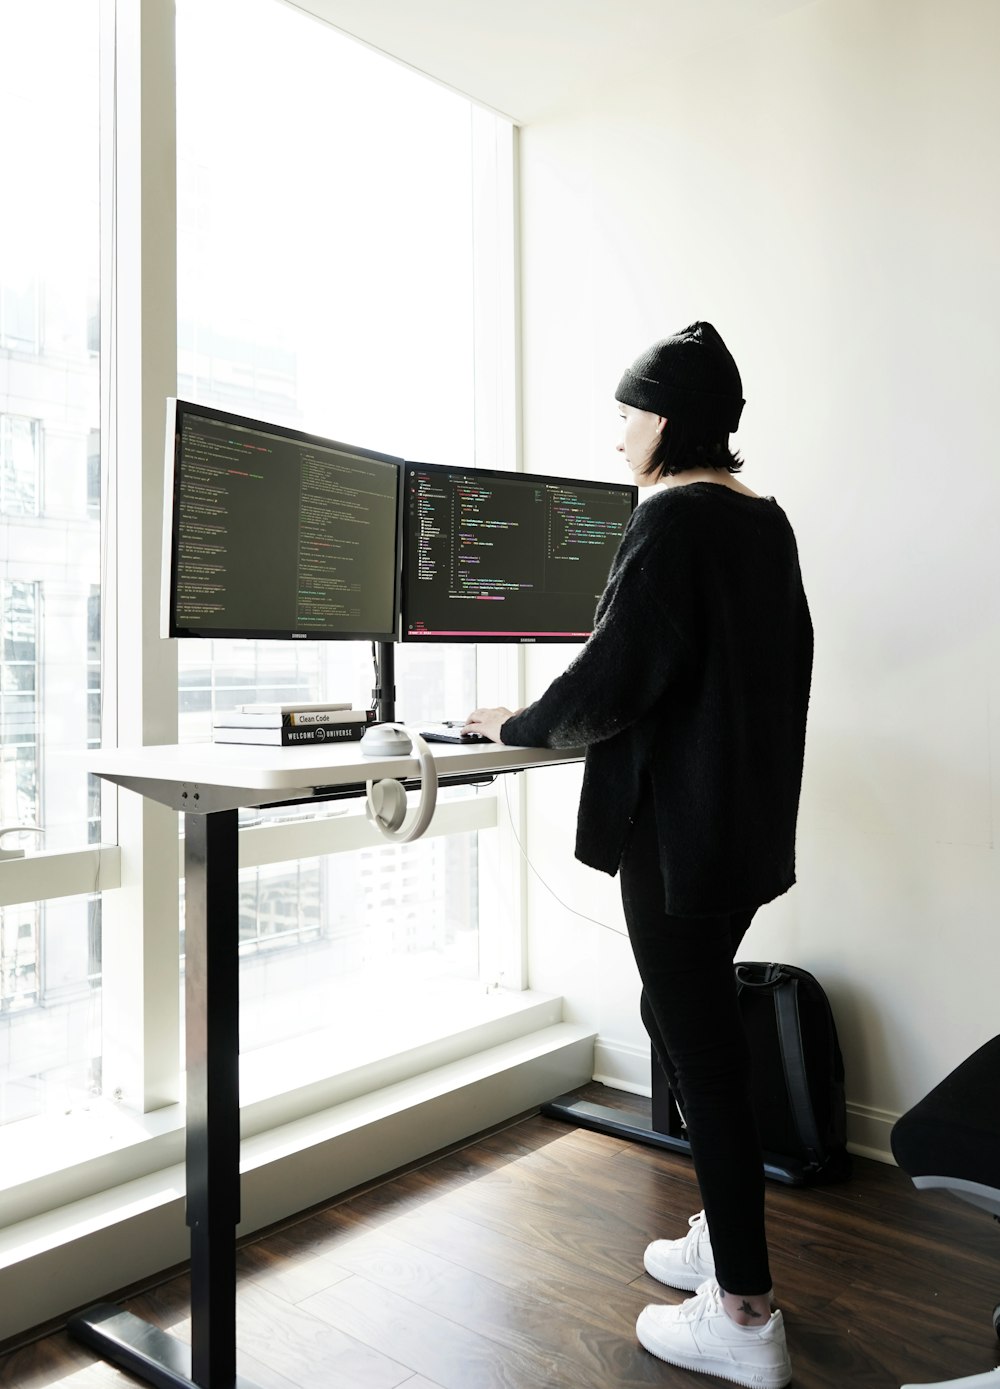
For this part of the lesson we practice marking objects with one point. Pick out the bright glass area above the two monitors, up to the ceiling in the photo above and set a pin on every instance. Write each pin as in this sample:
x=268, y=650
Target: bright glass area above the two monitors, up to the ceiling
x=326, y=234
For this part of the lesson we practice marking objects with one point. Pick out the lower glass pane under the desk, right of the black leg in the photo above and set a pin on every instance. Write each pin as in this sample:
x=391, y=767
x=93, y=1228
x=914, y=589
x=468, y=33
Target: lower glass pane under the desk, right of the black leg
x=351, y=938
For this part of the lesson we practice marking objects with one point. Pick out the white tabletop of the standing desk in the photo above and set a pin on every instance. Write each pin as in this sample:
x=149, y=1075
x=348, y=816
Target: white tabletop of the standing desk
x=209, y=777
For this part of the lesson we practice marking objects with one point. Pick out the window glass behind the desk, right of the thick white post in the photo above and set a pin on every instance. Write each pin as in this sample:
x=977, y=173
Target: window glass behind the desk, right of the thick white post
x=327, y=280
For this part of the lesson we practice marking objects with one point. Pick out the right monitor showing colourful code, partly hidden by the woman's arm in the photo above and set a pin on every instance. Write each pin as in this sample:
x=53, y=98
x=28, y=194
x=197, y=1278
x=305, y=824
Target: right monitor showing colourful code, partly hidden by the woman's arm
x=506, y=556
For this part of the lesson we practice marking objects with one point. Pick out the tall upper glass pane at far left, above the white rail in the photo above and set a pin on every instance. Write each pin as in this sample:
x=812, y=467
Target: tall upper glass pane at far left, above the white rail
x=49, y=409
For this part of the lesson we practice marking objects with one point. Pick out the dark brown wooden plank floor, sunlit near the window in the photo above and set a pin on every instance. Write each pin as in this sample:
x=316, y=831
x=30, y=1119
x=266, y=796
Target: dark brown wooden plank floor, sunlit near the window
x=516, y=1263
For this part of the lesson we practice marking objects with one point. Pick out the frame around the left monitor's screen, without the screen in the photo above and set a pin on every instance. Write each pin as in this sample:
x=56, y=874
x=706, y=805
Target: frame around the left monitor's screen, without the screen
x=177, y=409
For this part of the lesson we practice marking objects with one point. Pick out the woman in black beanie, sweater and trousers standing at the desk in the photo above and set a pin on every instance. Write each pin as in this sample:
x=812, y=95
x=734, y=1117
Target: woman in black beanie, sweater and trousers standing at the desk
x=691, y=699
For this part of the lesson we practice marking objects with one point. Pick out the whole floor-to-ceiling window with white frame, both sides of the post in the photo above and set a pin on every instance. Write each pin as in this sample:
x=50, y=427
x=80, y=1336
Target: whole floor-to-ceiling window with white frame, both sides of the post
x=341, y=267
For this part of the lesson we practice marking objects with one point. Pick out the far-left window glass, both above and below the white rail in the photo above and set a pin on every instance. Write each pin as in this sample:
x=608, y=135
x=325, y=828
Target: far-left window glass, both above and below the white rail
x=51, y=540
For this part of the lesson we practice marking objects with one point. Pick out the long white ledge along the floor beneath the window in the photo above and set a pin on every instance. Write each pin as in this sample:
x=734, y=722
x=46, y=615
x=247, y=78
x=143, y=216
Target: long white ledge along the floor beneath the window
x=81, y=1254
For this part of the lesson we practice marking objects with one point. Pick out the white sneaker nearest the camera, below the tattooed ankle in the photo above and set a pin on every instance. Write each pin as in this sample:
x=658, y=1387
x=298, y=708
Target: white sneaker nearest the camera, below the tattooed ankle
x=699, y=1336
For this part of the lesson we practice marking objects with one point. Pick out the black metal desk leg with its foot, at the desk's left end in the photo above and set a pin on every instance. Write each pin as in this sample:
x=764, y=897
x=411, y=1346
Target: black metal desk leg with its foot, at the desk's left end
x=212, y=994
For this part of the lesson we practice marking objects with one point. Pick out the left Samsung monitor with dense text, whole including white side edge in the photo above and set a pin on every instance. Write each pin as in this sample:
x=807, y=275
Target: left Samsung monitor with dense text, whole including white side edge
x=276, y=534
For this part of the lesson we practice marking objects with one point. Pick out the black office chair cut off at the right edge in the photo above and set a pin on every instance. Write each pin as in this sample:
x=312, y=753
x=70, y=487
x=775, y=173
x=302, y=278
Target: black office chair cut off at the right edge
x=951, y=1141
